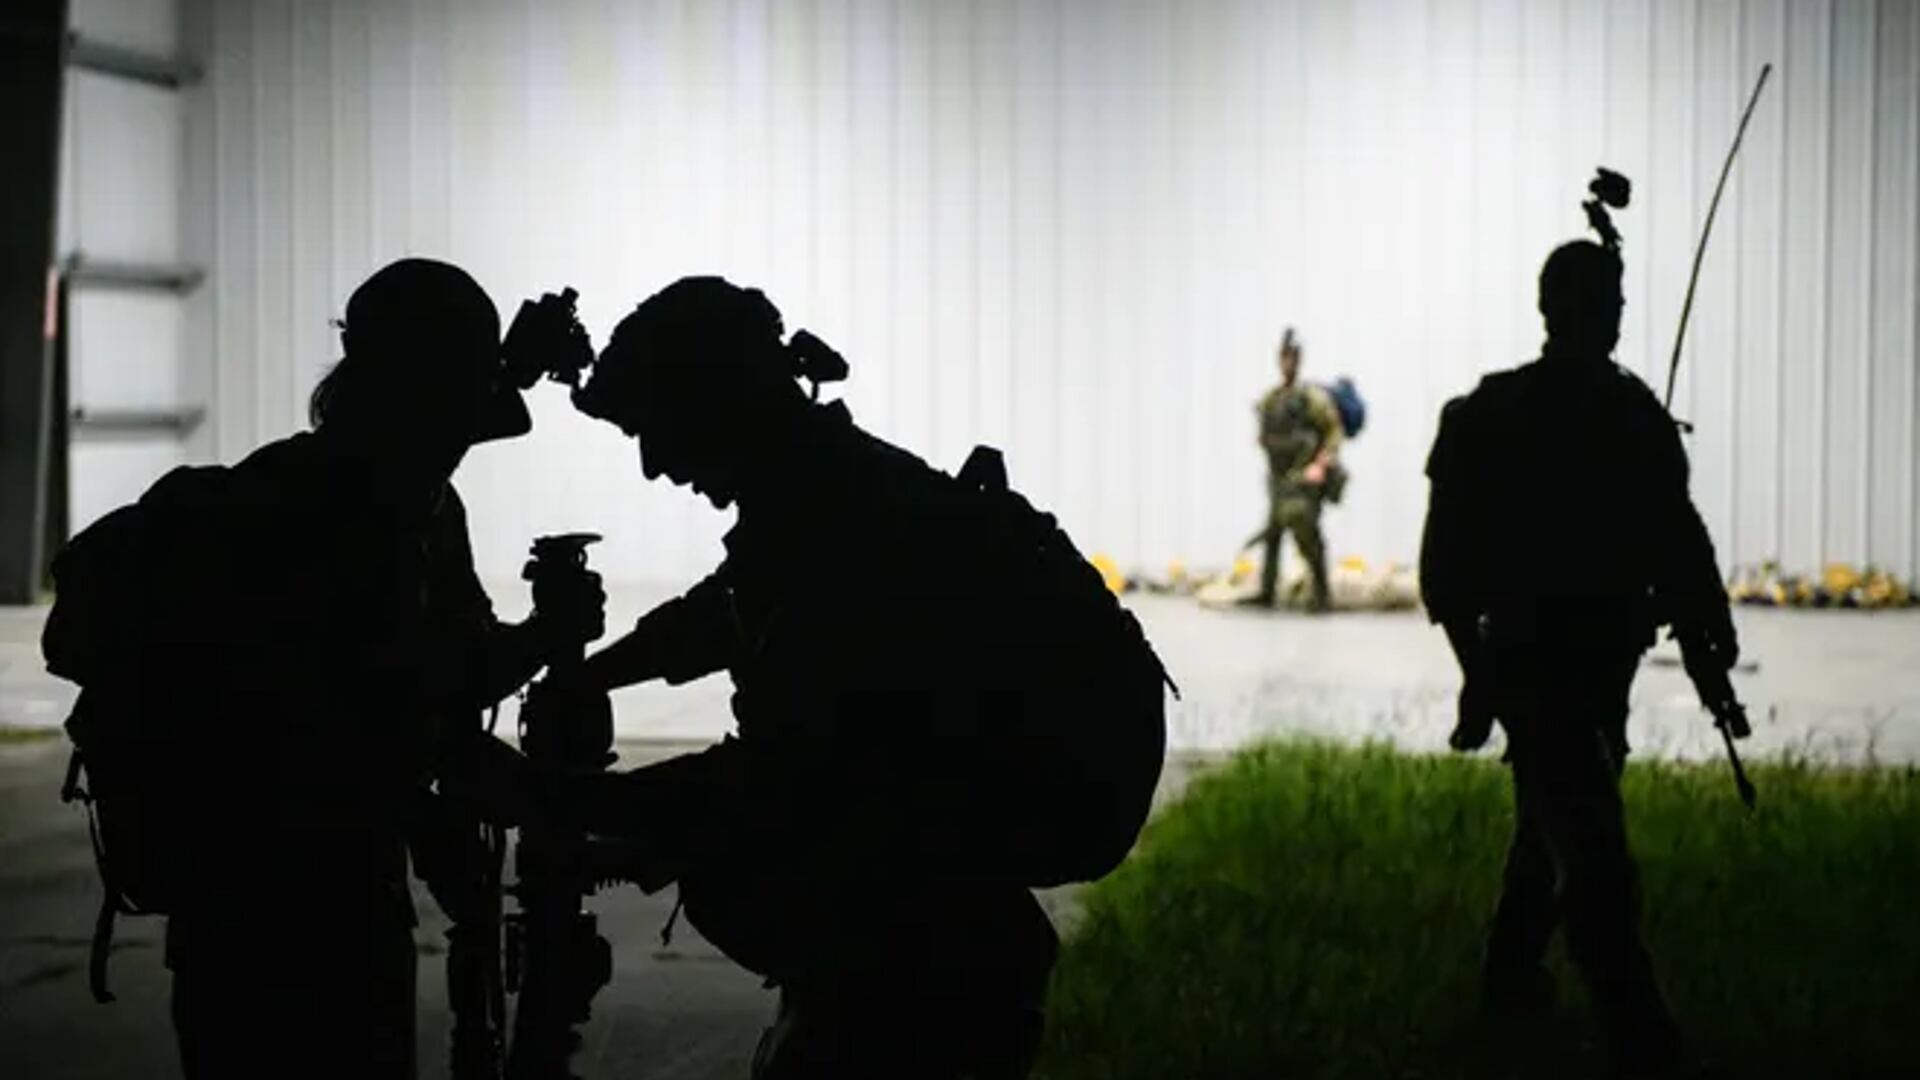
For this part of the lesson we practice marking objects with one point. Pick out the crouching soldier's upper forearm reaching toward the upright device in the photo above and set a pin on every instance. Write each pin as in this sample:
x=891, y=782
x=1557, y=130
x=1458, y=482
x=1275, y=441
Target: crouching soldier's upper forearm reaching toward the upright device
x=681, y=641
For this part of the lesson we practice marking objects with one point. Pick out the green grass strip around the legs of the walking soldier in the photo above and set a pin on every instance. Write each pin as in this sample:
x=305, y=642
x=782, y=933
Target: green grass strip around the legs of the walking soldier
x=1318, y=912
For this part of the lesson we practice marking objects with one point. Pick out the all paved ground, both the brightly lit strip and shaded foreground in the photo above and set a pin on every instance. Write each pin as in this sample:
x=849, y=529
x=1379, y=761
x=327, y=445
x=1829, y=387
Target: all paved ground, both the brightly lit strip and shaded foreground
x=1836, y=685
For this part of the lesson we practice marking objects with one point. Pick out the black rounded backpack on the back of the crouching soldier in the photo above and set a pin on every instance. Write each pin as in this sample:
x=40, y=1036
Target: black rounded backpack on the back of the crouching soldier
x=1095, y=725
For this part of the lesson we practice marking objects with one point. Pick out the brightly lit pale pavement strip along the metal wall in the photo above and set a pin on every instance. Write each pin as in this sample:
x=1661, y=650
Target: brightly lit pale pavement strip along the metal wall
x=1835, y=685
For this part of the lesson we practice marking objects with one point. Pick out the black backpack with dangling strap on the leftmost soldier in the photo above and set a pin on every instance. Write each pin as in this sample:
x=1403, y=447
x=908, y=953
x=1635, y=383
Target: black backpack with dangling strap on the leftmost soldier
x=124, y=601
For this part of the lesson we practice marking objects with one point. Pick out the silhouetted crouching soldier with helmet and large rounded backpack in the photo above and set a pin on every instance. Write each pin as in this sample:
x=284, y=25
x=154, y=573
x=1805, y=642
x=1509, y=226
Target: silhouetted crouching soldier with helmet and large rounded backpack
x=930, y=718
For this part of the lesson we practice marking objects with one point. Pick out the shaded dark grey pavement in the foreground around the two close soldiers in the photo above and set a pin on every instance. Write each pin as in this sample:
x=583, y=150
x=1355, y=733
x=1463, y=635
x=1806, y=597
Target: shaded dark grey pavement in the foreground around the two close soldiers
x=673, y=1014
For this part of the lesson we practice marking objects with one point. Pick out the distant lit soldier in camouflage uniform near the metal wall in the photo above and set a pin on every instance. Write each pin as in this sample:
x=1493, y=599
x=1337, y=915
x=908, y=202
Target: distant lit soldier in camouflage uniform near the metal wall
x=1301, y=431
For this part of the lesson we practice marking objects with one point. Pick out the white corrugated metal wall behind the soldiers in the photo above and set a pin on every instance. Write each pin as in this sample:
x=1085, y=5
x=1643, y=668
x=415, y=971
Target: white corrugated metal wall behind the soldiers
x=1078, y=228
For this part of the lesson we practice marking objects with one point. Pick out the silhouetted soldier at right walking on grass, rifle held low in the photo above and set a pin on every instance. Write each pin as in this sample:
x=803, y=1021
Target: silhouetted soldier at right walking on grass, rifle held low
x=1558, y=539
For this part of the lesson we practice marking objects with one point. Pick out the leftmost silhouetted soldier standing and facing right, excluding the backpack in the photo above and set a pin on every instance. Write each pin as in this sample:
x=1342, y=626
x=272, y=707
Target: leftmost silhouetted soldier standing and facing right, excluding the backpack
x=348, y=641
